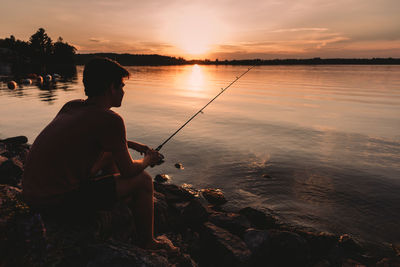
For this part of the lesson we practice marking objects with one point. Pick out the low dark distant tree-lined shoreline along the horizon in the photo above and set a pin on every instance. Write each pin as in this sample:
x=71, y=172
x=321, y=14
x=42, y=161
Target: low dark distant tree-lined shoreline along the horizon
x=159, y=60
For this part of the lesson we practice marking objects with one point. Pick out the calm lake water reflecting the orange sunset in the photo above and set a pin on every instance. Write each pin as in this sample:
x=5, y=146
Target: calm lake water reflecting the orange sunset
x=320, y=145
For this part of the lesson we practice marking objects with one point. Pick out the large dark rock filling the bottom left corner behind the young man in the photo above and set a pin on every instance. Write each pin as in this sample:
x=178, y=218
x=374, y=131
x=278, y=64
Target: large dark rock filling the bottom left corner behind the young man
x=22, y=234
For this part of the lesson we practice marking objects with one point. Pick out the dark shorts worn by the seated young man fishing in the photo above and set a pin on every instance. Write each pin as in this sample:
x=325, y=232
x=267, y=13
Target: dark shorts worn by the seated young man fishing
x=94, y=195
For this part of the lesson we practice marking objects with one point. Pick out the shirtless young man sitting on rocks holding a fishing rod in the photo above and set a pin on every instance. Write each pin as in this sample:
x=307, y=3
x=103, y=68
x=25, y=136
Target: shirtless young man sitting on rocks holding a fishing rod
x=86, y=138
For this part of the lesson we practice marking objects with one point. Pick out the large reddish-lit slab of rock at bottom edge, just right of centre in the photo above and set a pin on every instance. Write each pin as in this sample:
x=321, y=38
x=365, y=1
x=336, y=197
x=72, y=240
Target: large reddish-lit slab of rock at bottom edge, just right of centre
x=222, y=247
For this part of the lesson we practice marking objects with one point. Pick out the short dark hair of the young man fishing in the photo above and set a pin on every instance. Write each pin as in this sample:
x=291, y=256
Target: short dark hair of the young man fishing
x=100, y=73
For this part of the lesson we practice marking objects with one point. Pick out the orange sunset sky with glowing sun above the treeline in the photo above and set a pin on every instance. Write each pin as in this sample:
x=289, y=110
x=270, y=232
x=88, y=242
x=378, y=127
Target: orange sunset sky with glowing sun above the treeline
x=223, y=29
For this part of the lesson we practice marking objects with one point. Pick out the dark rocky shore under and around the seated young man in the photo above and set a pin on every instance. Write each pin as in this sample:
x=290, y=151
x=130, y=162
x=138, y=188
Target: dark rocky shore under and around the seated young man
x=194, y=220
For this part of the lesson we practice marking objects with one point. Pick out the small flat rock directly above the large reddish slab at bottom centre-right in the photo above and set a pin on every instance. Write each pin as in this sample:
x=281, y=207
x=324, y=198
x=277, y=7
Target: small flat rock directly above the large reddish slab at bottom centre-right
x=233, y=222
